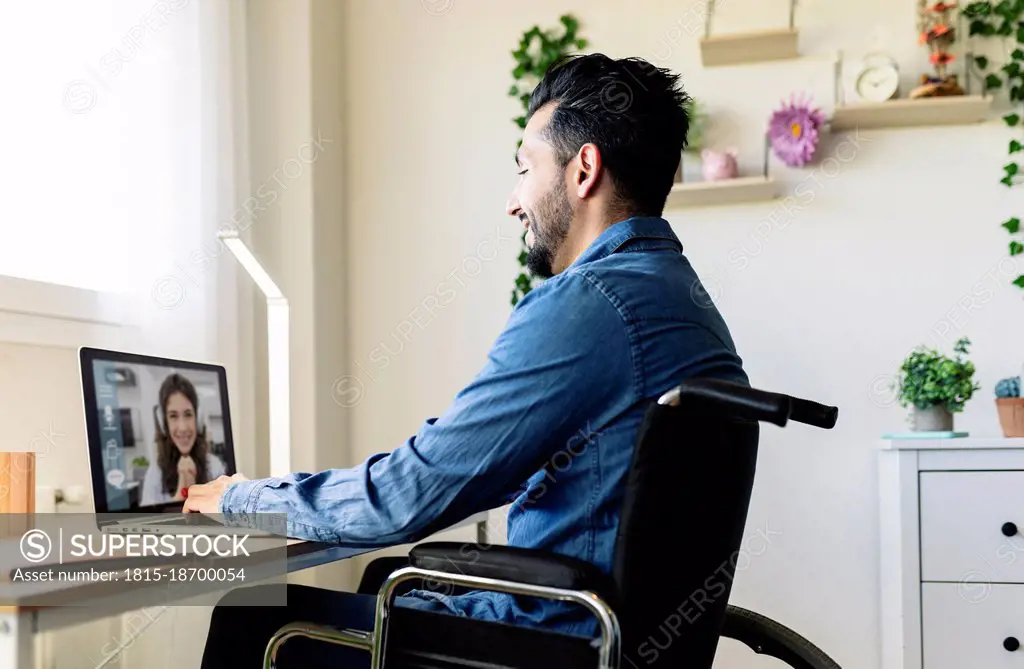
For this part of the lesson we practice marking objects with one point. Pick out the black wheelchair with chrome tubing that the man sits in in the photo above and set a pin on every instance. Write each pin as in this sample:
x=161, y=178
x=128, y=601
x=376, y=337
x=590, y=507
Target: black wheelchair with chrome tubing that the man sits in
x=693, y=472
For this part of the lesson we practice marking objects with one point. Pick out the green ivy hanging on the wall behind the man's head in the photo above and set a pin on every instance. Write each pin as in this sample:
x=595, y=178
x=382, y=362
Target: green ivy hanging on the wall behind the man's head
x=538, y=52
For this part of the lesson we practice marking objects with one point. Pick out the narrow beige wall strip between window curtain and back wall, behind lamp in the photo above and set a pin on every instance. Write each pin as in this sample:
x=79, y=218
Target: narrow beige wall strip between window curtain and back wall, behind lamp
x=294, y=116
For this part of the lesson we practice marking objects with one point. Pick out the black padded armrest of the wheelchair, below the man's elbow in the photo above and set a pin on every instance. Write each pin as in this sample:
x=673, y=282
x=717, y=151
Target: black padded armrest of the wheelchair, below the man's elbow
x=514, y=564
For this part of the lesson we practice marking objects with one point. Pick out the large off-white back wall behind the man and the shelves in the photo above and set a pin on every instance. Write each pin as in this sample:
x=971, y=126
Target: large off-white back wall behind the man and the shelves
x=897, y=242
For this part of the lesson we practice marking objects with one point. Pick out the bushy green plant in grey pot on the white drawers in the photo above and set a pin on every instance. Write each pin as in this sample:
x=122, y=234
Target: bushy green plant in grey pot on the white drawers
x=936, y=386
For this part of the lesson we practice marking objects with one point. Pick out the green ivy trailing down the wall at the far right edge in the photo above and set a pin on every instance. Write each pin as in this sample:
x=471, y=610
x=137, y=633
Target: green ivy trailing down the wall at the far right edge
x=1005, y=21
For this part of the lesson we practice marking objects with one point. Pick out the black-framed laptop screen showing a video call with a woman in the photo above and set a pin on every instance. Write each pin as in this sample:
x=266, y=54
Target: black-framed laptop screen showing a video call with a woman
x=155, y=427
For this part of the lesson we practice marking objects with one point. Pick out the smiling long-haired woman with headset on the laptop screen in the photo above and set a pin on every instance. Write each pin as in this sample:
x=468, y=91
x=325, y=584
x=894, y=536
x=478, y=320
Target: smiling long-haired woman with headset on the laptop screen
x=184, y=455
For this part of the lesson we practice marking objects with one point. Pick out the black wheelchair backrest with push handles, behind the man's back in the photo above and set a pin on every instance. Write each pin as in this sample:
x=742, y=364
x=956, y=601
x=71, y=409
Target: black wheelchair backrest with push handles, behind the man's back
x=685, y=513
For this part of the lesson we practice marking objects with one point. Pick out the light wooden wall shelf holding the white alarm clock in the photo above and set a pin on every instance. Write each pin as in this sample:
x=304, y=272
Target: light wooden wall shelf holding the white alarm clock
x=957, y=110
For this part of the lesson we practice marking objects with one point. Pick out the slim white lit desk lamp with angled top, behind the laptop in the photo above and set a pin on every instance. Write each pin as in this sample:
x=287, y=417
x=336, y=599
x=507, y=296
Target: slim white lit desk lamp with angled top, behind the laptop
x=278, y=354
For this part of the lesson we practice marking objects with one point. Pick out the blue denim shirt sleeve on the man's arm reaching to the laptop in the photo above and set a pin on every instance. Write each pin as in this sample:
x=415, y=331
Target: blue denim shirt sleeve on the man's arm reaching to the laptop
x=561, y=362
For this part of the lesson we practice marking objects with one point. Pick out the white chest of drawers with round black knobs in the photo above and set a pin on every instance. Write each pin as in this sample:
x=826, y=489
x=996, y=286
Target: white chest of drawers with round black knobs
x=953, y=554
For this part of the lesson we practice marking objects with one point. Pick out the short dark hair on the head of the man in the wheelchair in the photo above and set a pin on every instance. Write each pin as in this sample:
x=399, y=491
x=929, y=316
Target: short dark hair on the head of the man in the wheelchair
x=632, y=111
